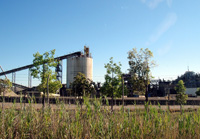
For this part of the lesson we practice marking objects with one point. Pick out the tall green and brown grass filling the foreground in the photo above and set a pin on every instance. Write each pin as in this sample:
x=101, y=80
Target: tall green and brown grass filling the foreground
x=96, y=121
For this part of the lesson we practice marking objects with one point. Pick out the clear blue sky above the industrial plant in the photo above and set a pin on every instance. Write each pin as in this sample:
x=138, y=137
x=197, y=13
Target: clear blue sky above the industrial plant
x=169, y=28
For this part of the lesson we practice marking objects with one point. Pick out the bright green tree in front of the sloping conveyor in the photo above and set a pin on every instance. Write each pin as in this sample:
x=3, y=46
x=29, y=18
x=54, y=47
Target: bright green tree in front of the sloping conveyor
x=43, y=65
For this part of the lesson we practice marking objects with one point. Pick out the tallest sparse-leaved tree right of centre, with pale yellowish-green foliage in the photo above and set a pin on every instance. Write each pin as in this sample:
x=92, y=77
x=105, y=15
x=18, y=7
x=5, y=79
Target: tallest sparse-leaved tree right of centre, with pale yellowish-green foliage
x=140, y=64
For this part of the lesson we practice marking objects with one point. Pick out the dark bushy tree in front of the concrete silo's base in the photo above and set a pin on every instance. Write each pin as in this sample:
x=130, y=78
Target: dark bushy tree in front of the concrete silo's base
x=81, y=85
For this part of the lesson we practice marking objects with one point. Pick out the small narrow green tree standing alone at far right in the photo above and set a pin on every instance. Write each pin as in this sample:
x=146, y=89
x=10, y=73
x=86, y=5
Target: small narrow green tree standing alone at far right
x=181, y=97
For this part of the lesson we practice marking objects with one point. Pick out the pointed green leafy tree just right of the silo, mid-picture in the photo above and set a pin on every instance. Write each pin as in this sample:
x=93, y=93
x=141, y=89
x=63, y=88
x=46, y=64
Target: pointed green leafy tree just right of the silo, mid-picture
x=113, y=82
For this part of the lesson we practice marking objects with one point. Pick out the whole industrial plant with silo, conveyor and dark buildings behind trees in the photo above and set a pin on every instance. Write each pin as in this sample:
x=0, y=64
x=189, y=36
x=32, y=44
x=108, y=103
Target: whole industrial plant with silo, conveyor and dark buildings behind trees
x=83, y=62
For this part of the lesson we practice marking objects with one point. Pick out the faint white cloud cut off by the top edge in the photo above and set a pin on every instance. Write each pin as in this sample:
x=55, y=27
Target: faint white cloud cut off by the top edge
x=152, y=4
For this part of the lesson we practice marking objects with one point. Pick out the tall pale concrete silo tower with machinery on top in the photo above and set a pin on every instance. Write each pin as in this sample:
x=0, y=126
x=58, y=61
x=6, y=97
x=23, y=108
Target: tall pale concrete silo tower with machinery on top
x=83, y=64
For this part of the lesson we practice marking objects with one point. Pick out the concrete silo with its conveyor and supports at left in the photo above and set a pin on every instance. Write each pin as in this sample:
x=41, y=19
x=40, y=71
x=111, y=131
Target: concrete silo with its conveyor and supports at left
x=76, y=62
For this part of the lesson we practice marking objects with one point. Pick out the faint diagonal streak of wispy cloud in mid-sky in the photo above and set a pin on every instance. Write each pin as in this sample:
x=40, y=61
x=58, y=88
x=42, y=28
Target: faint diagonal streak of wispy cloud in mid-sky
x=168, y=22
